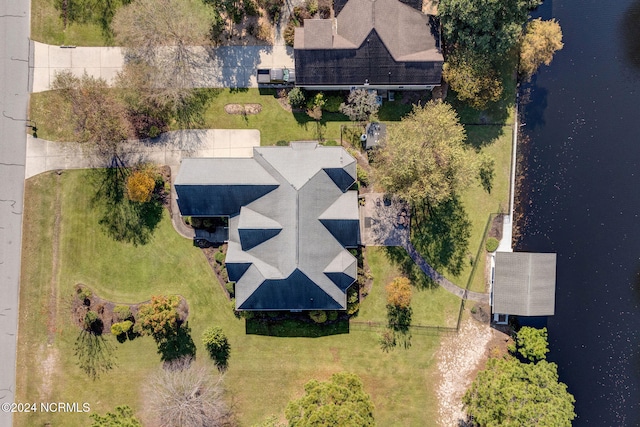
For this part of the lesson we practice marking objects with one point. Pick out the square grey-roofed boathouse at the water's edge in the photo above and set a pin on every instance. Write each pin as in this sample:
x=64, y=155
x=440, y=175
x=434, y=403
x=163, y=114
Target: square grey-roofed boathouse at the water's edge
x=524, y=284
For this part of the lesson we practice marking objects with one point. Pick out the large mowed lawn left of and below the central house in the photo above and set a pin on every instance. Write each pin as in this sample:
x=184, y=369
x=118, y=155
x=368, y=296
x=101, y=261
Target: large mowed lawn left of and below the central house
x=264, y=372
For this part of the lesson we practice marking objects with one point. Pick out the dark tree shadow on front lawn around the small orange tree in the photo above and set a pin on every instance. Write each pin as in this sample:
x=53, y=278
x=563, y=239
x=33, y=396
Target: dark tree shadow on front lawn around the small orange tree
x=122, y=219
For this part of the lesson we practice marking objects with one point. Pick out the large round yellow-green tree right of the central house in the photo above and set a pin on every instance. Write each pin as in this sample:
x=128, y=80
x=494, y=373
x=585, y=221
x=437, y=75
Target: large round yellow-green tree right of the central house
x=424, y=157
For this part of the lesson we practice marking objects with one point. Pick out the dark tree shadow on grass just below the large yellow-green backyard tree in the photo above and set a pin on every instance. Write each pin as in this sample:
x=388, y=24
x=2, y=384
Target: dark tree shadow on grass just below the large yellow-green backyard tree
x=441, y=235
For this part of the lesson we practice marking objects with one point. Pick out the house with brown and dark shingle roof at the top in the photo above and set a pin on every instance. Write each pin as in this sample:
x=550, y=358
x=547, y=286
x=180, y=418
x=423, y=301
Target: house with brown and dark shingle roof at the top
x=377, y=44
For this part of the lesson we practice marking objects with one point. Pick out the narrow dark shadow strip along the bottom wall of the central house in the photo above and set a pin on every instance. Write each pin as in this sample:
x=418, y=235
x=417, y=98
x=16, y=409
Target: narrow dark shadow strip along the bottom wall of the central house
x=295, y=328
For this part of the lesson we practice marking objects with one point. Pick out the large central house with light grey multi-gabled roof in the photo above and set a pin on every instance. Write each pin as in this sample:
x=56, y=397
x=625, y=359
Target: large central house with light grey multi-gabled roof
x=291, y=216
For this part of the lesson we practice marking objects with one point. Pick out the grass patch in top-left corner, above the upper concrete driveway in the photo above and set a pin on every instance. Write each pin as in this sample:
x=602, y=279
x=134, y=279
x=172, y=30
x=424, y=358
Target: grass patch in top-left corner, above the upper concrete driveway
x=48, y=27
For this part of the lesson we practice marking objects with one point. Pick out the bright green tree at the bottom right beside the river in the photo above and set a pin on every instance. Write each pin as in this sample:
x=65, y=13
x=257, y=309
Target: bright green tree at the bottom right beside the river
x=513, y=394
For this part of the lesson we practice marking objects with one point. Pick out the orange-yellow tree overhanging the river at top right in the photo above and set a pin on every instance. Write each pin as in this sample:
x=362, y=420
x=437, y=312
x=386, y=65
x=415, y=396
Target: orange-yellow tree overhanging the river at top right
x=541, y=41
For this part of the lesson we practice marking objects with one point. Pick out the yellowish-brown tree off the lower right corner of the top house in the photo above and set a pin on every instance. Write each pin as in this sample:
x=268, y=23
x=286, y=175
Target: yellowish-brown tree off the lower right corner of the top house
x=473, y=79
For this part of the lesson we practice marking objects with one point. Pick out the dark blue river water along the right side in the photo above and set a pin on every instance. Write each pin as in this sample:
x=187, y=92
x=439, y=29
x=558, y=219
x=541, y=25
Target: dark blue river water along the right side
x=583, y=186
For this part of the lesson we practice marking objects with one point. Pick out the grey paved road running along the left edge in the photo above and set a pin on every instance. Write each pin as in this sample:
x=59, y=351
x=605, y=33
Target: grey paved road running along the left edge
x=14, y=72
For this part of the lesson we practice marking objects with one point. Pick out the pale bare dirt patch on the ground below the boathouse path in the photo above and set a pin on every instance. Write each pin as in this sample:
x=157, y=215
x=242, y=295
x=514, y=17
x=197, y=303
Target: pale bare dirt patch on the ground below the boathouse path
x=458, y=359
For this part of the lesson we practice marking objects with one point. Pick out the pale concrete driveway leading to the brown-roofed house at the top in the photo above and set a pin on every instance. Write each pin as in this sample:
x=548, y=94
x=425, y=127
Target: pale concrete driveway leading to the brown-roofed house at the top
x=225, y=66
